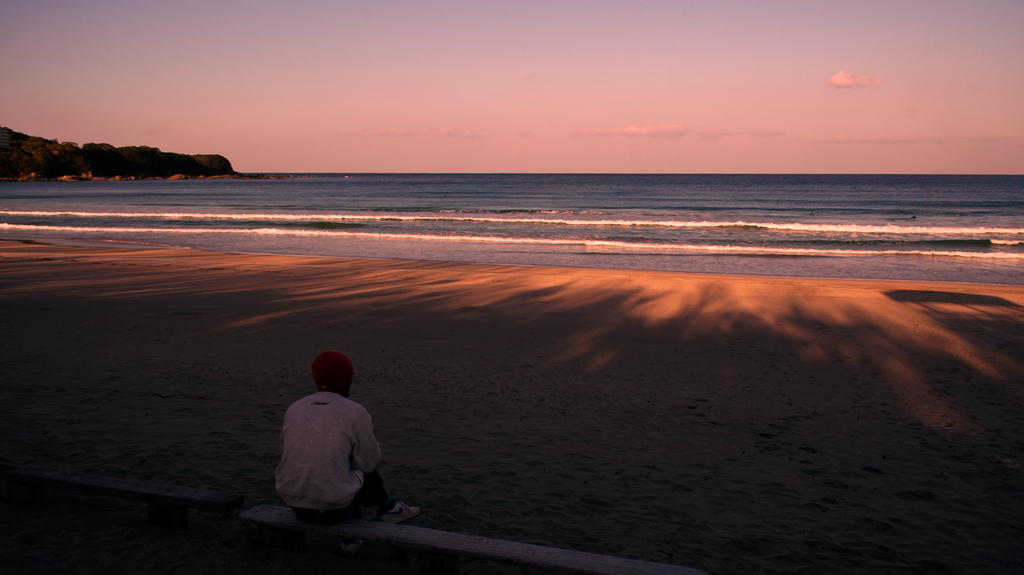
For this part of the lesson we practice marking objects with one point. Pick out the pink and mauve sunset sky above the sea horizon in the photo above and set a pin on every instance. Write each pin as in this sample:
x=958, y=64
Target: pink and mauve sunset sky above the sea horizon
x=556, y=86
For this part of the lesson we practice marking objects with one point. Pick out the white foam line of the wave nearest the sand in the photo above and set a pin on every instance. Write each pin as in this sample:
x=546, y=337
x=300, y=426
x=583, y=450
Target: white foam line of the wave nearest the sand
x=708, y=249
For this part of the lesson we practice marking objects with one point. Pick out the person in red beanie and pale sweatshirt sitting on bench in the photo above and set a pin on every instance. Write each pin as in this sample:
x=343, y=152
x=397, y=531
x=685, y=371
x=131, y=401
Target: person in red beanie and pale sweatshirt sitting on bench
x=329, y=455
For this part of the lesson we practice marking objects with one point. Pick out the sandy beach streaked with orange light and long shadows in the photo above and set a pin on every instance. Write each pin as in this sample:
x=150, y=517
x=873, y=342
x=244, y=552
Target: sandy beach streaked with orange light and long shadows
x=736, y=425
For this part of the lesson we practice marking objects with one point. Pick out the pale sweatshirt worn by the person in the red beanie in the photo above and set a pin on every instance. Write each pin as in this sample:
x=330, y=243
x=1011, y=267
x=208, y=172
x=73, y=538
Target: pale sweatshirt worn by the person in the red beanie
x=327, y=446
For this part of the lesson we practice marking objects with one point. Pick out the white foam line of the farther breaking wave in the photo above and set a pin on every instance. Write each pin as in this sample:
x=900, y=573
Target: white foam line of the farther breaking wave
x=805, y=228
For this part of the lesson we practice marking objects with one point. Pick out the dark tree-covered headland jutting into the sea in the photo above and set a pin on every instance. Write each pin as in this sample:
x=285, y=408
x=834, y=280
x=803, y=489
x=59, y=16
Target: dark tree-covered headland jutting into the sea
x=34, y=158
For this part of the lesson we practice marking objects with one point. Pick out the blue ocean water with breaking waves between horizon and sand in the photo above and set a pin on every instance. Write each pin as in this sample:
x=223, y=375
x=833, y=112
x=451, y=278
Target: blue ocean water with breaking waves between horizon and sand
x=957, y=229
